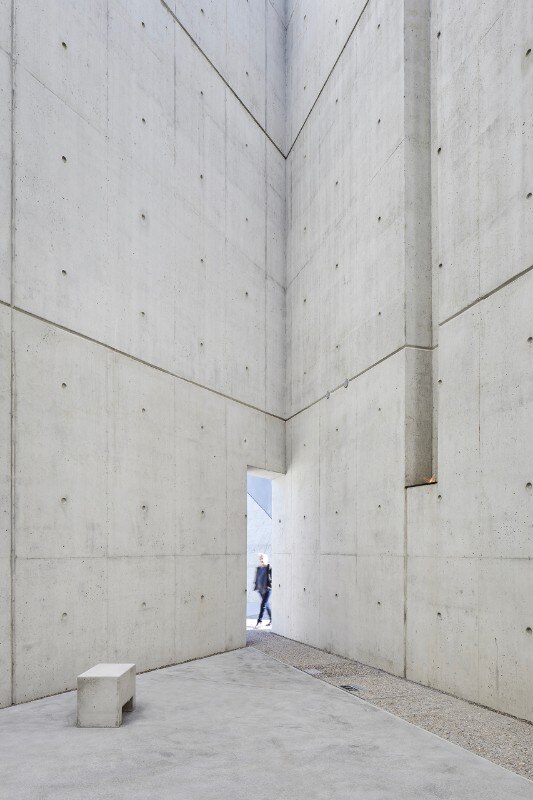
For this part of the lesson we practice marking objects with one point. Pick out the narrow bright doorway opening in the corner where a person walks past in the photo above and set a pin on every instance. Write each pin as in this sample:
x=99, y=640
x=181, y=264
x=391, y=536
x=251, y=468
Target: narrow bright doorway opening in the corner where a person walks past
x=259, y=541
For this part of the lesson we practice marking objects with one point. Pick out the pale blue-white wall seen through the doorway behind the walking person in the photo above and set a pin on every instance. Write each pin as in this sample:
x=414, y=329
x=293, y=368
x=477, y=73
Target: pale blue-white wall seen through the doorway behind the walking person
x=259, y=533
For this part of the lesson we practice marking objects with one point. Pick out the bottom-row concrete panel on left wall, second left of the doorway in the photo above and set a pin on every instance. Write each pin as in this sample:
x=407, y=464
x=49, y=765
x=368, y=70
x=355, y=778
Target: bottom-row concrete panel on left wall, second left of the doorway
x=200, y=602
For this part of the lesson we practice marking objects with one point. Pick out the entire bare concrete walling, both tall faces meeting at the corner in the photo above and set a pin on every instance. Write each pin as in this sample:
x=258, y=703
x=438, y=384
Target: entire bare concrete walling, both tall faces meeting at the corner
x=218, y=217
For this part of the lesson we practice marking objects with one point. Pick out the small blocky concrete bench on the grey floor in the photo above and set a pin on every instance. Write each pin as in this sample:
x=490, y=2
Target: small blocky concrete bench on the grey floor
x=104, y=692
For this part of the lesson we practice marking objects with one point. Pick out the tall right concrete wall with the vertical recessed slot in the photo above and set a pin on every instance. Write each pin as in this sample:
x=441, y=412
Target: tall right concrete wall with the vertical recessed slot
x=409, y=250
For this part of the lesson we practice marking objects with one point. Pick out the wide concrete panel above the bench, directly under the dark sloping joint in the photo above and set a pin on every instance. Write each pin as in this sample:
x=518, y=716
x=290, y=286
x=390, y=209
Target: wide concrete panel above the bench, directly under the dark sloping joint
x=61, y=442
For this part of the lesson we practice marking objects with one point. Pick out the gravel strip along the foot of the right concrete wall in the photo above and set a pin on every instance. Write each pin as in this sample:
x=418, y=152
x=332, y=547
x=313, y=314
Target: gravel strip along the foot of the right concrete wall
x=505, y=740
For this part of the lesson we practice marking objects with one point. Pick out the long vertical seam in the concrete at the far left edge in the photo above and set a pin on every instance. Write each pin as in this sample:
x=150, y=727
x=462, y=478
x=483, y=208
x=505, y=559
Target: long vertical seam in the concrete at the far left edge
x=12, y=358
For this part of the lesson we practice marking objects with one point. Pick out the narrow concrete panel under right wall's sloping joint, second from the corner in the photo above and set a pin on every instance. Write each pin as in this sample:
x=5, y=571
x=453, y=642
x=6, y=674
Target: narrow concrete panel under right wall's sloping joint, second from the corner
x=338, y=472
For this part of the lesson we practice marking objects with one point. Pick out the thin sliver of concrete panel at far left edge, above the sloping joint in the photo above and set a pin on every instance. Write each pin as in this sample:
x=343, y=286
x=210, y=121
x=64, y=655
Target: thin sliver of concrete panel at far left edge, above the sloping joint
x=5, y=175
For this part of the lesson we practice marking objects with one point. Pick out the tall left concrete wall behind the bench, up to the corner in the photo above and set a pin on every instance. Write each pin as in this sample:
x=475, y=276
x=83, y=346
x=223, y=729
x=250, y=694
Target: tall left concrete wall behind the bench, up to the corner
x=143, y=290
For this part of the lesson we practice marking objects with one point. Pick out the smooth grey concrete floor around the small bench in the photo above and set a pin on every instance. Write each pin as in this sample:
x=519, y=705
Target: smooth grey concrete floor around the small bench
x=238, y=725
